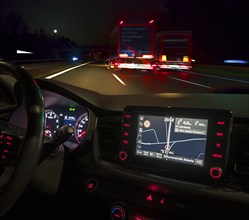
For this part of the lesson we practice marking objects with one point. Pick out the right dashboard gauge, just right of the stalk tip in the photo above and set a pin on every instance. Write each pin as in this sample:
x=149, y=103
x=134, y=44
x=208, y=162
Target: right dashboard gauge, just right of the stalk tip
x=81, y=127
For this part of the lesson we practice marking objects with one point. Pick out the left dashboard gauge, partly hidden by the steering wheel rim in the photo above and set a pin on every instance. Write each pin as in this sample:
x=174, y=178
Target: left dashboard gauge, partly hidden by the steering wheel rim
x=51, y=123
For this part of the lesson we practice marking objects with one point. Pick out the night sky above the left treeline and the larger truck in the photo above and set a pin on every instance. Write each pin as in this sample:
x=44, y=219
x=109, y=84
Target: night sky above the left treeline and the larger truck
x=86, y=22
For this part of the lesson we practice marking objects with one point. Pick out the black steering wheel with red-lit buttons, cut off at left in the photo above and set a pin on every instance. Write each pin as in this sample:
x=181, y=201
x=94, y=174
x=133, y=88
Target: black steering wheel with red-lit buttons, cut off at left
x=17, y=150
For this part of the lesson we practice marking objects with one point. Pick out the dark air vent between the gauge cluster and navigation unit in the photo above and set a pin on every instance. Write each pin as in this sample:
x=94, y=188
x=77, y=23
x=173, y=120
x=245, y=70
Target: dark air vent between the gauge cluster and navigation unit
x=109, y=130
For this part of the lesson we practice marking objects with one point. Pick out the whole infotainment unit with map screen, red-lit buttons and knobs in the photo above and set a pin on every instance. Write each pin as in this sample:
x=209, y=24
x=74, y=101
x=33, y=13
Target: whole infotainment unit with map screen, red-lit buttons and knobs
x=181, y=143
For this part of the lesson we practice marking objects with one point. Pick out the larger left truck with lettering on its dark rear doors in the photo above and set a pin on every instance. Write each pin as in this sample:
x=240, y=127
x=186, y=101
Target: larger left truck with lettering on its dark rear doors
x=132, y=45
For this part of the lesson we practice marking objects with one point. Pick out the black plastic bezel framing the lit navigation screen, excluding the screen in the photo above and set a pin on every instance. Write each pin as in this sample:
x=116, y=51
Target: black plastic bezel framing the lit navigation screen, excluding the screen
x=175, y=168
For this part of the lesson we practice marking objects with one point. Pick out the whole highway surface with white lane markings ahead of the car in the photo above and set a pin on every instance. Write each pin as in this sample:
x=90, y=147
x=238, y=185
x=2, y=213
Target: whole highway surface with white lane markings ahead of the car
x=96, y=76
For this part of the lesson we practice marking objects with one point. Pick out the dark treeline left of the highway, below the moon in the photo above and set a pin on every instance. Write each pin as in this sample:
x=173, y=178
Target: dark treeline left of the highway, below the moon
x=15, y=36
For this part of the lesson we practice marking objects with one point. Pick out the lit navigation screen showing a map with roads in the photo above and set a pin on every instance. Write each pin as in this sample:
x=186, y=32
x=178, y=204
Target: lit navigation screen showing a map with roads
x=171, y=138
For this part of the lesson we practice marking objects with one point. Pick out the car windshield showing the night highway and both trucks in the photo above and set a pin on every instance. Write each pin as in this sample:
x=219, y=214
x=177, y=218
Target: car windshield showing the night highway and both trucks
x=131, y=47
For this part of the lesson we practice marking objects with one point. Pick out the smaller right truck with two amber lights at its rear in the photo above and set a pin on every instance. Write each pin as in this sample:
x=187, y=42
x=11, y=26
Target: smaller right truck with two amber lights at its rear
x=173, y=50
